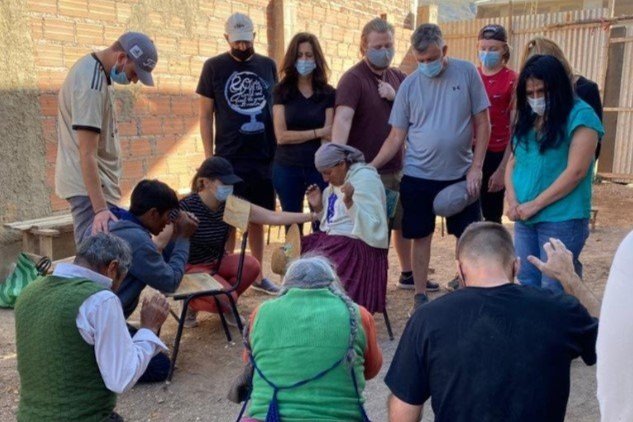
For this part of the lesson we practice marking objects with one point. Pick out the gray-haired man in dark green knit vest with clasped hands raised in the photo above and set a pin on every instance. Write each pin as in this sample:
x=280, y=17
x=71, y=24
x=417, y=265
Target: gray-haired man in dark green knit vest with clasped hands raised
x=74, y=350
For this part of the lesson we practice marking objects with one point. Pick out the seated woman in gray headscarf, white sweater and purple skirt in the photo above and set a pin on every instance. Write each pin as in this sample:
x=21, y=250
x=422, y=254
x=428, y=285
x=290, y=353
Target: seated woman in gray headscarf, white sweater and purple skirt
x=354, y=231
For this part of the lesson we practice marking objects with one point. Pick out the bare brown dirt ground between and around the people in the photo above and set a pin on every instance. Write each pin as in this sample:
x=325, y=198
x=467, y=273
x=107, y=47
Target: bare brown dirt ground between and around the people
x=207, y=363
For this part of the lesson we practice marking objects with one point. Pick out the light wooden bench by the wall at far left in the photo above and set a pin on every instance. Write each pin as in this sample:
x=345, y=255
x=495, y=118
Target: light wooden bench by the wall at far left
x=38, y=234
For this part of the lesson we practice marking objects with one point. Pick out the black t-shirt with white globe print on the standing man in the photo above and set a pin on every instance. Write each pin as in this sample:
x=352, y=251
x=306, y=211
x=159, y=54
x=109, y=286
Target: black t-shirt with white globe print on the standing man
x=241, y=92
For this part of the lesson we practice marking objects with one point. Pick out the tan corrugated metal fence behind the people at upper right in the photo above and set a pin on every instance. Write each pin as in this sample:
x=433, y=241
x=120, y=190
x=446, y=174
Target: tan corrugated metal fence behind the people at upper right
x=584, y=37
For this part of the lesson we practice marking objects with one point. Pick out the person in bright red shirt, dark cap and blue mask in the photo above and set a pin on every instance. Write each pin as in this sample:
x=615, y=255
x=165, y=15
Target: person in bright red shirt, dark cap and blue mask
x=500, y=82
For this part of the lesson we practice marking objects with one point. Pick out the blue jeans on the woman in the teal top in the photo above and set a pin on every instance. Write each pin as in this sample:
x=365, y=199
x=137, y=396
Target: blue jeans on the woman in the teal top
x=529, y=240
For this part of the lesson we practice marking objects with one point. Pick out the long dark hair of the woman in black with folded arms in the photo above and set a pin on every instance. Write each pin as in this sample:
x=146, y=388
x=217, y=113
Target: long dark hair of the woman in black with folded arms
x=289, y=75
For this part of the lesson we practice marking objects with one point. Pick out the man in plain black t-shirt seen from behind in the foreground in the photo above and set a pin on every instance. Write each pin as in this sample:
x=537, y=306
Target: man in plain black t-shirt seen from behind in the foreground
x=494, y=350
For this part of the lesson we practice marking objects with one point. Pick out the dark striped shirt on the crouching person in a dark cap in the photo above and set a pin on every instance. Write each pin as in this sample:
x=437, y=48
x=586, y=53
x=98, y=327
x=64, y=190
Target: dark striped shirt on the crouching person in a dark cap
x=207, y=243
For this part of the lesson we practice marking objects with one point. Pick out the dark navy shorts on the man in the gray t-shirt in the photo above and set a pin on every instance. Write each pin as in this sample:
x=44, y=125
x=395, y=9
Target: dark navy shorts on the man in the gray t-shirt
x=418, y=219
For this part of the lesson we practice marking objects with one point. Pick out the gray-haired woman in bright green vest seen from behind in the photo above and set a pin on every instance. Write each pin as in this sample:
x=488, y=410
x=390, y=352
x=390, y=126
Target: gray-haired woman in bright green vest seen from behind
x=312, y=349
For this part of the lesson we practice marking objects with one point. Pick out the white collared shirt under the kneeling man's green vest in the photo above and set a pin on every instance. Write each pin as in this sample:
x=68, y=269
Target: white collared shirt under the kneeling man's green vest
x=121, y=359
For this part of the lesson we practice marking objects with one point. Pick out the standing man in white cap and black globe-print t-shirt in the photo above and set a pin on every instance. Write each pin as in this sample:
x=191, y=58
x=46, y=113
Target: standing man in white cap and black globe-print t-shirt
x=235, y=88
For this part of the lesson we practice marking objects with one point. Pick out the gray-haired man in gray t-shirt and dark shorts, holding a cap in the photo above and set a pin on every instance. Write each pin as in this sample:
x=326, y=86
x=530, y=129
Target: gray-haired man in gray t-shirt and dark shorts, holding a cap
x=436, y=112
